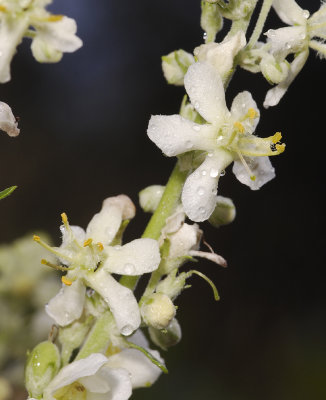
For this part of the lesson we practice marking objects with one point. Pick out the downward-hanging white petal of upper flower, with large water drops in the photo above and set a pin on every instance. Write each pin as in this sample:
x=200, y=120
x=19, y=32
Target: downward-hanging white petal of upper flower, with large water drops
x=200, y=189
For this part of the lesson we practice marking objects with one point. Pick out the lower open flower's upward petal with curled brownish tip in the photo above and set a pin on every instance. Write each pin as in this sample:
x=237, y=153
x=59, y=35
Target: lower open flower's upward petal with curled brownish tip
x=104, y=225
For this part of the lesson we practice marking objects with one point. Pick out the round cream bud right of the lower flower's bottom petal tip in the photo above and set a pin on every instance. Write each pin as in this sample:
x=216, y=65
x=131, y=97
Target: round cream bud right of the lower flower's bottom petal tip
x=158, y=311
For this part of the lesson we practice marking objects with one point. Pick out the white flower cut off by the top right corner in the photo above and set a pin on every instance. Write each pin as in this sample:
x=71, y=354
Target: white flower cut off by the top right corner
x=294, y=39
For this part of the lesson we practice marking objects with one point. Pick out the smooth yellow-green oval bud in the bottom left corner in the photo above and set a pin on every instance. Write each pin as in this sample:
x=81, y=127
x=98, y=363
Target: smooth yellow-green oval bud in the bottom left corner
x=42, y=365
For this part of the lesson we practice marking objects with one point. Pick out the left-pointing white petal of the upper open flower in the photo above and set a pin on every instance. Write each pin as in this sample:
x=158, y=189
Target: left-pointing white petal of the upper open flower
x=175, y=135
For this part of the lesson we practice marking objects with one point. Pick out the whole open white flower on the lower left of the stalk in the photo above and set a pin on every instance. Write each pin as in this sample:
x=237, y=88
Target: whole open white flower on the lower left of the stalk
x=91, y=259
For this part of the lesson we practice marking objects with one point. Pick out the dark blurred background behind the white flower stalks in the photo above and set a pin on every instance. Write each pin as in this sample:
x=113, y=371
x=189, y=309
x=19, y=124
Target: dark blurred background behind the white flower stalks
x=83, y=138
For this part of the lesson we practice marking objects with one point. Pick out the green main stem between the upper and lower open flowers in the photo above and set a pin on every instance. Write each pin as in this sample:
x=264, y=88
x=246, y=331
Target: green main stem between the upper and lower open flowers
x=166, y=207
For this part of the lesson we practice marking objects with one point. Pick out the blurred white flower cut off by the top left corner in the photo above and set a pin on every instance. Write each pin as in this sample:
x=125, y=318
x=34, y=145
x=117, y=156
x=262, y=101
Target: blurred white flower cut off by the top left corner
x=51, y=34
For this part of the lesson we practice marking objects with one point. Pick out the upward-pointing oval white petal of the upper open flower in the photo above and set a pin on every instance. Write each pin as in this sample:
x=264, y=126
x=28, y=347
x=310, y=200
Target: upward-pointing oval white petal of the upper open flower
x=206, y=92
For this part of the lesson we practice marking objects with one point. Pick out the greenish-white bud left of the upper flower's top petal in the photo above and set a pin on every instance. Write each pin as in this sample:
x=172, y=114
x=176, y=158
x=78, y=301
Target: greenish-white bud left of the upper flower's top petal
x=175, y=66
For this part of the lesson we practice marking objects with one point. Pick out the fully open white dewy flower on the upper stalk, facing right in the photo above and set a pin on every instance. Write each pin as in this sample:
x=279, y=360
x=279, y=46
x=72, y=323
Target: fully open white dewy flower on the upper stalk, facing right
x=227, y=136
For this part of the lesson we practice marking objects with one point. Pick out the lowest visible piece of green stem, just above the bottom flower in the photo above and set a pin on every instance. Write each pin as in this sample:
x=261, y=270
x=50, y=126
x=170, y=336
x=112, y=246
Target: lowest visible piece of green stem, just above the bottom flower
x=99, y=336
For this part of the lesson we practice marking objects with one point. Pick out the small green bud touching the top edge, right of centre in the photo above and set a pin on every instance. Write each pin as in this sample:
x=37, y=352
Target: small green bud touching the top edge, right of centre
x=211, y=20
